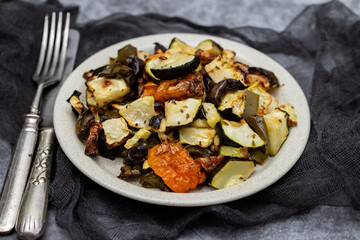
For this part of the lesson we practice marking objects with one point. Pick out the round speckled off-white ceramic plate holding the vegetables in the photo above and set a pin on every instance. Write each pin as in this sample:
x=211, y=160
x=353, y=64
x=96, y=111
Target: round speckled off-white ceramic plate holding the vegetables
x=105, y=172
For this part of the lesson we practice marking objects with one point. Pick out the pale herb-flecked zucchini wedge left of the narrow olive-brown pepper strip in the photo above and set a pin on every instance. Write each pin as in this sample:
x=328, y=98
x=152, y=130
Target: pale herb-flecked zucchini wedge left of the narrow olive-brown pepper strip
x=238, y=132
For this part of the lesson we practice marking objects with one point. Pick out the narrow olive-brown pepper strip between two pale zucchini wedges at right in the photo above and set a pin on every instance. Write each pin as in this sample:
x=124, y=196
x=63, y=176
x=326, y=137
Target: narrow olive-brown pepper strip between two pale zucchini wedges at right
x=257, y=123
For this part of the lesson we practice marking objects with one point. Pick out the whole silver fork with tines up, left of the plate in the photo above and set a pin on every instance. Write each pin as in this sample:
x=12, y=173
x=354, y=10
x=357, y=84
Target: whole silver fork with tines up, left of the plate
x=48, y=72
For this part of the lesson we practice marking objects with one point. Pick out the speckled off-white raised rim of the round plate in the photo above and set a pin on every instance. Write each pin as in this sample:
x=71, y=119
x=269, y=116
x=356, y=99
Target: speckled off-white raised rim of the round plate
x=182, y=199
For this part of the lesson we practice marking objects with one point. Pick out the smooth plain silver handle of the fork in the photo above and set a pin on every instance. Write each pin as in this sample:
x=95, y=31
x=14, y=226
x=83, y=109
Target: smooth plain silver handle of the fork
x=18, y=172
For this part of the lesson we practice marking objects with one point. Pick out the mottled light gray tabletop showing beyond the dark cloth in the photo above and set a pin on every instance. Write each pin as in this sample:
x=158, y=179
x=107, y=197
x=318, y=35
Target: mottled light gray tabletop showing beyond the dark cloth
x=322, y=222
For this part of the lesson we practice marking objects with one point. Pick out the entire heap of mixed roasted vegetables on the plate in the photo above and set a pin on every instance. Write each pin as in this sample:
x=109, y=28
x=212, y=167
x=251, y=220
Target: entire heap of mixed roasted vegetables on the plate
x=181, y=117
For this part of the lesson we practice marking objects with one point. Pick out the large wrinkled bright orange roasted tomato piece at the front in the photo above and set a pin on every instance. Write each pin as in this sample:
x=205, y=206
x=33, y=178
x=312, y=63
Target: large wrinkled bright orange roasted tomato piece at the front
x=175, y=166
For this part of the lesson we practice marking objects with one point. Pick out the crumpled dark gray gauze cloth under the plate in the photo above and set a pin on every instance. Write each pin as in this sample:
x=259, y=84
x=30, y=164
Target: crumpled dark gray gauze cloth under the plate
x=320, y=48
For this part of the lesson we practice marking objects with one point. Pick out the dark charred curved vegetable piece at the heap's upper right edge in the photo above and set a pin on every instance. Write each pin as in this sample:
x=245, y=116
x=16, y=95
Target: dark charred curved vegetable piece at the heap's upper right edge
x=266, y=78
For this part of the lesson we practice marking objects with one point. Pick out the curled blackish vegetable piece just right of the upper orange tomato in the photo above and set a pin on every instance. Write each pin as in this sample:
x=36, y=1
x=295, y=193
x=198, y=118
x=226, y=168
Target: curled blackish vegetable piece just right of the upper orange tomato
x=220, y=89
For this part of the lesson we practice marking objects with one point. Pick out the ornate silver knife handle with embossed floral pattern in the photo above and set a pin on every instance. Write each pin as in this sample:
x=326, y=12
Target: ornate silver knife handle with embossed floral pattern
x=32, y=216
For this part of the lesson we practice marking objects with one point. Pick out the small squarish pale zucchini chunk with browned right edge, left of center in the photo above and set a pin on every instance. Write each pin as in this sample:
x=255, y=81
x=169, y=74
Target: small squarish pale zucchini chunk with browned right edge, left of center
x=116, y=132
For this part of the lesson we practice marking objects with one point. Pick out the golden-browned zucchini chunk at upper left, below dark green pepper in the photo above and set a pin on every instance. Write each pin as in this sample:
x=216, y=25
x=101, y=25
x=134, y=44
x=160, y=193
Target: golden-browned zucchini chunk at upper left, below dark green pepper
x=106, y=90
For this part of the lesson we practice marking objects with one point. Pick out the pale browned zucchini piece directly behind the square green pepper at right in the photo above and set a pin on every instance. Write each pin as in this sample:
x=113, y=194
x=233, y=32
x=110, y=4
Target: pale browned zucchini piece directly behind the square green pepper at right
x=267, y=103
